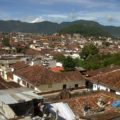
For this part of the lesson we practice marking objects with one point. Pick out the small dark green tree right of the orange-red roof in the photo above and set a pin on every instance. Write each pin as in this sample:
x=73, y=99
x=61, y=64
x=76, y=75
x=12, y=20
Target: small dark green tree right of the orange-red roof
x=69, y=64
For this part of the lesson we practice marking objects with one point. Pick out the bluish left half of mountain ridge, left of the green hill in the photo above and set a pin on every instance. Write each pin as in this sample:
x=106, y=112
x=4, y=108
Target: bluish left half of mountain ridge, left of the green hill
x=18, y=26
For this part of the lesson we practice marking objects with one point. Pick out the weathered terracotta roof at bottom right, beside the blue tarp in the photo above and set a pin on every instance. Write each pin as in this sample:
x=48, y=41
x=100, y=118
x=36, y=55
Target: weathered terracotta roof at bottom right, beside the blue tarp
x=77, y=104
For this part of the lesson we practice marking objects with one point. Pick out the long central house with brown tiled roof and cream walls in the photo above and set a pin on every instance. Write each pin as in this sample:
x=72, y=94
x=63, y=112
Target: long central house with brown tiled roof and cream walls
x=45, y=80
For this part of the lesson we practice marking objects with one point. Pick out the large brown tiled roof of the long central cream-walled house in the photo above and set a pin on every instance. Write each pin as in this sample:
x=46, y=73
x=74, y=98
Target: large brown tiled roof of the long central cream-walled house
x=38, y=75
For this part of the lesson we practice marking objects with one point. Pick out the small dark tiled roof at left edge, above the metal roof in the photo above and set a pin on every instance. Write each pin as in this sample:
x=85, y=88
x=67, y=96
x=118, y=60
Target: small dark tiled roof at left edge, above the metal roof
x=6, y=85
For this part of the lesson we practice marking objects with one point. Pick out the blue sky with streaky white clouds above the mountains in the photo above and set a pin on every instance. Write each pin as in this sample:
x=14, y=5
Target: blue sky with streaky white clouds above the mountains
x=106, y=12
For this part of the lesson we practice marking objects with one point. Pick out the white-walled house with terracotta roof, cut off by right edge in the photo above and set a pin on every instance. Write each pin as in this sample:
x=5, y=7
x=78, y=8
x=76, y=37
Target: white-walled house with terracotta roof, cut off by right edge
x=107, y=81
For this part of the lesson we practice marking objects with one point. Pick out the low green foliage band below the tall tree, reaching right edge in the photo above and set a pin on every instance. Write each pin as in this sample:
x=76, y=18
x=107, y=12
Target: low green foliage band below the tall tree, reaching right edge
x=100, y=61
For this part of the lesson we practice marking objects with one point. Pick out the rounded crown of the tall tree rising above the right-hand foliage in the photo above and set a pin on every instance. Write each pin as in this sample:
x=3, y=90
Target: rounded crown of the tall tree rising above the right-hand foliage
x=89, y=49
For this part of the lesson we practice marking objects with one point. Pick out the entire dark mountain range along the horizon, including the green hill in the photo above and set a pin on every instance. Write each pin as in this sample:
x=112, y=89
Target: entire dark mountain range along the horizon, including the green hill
x=83, y=27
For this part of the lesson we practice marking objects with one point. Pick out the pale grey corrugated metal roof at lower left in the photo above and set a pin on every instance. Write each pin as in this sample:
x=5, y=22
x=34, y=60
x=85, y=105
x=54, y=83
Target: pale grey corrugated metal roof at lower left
x=15, y=96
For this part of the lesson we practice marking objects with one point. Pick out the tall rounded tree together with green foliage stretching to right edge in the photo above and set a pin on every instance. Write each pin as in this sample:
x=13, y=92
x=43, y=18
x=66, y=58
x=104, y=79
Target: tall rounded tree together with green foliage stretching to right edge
x=94, y=60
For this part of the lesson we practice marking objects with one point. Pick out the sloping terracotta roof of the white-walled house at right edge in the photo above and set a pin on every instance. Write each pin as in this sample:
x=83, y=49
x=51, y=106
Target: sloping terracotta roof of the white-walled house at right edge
x=110, y=79
